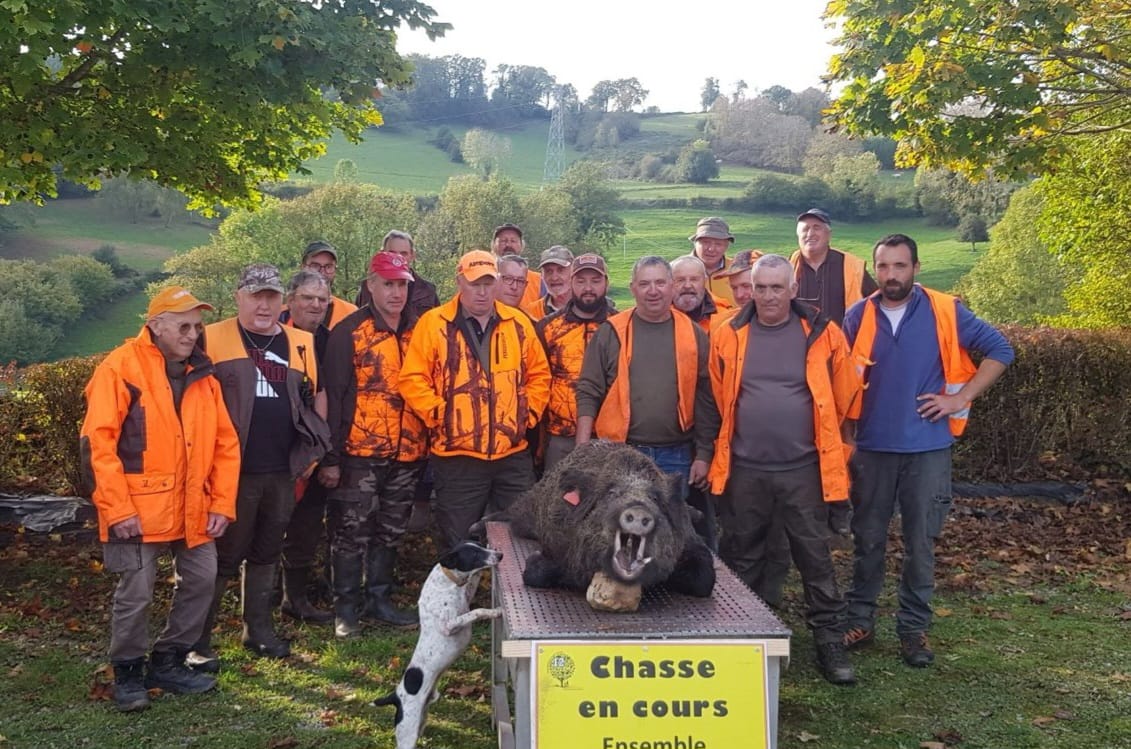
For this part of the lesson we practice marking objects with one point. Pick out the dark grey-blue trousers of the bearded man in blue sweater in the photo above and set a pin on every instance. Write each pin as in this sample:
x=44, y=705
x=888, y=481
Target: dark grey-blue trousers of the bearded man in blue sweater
x=919, y=485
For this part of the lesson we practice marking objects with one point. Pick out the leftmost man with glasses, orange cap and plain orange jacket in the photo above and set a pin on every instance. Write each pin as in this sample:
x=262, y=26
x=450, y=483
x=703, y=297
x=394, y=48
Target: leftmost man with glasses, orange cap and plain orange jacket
x=165, y=460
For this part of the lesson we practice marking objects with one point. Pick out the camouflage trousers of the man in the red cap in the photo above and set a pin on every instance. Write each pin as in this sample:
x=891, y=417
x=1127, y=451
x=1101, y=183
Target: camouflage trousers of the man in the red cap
x=372, y=505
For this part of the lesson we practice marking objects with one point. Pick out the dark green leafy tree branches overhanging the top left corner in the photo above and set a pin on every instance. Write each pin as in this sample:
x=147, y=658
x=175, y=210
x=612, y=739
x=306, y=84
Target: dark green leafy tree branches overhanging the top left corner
x=210, y=98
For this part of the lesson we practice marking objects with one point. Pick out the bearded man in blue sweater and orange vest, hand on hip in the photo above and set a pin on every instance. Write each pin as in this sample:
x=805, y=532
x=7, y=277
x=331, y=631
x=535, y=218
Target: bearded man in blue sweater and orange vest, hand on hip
x=912, y=345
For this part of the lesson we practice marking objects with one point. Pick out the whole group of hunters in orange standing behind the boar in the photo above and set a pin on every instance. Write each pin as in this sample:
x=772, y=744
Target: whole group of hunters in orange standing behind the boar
x=783, y=390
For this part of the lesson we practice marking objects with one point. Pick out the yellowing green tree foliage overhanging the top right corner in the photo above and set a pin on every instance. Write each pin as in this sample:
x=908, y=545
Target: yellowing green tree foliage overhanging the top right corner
x=982, y=84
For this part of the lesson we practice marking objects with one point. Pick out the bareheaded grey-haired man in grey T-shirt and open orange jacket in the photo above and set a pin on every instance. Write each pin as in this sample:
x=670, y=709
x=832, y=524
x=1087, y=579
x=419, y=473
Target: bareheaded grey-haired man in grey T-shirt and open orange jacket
x=784, y=383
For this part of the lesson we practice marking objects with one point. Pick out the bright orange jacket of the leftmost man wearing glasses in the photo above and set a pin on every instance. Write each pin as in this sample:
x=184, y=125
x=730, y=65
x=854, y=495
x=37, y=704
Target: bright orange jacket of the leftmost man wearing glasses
x=143, y=460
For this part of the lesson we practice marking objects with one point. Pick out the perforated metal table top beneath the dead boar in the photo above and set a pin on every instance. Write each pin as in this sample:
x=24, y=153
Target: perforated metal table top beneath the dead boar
x=732, y=612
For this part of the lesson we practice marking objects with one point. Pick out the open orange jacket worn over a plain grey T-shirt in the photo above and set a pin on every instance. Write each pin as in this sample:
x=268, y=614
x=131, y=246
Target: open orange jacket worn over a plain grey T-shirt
x=833, y=384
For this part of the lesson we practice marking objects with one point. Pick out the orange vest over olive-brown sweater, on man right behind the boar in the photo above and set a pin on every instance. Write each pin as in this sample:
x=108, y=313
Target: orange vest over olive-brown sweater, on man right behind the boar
x=612, y=423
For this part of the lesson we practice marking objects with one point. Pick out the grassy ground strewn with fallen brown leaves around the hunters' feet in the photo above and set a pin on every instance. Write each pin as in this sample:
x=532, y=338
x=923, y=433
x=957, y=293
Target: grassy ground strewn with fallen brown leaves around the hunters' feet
x=1033, y=636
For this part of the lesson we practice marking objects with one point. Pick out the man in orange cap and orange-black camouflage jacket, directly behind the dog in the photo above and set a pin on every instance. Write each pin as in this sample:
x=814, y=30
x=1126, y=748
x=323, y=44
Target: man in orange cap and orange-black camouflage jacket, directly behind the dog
x=478, y=376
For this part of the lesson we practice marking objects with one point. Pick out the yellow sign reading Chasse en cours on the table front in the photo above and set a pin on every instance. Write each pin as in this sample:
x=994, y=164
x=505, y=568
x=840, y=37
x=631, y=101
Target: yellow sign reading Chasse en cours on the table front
x=650, y=695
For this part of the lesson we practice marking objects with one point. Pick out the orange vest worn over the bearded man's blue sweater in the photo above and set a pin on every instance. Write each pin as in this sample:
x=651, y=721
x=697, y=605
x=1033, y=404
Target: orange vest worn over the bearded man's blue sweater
x=957, y=366
